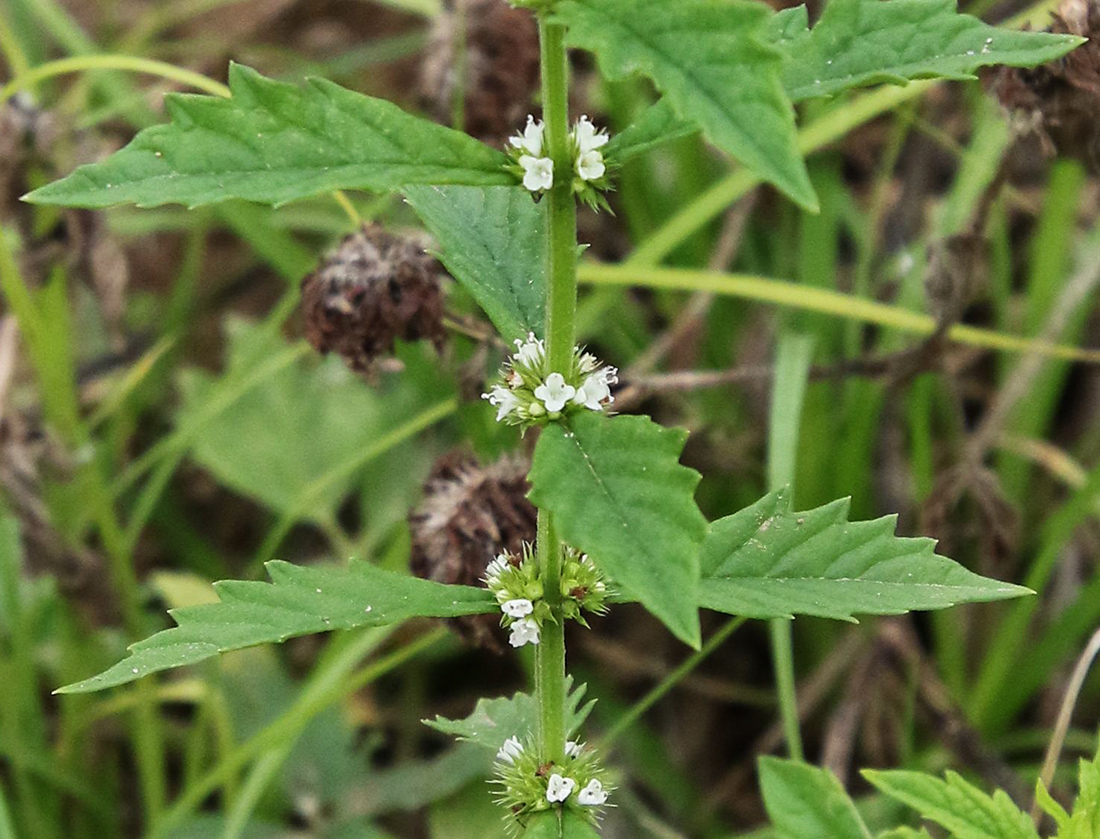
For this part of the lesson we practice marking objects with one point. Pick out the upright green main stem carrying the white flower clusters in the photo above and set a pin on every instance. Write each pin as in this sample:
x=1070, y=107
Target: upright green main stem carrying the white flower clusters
x=560, y=328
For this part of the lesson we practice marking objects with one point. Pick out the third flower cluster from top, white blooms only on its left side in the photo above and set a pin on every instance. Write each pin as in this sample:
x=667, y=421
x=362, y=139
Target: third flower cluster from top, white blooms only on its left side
x=518, y=588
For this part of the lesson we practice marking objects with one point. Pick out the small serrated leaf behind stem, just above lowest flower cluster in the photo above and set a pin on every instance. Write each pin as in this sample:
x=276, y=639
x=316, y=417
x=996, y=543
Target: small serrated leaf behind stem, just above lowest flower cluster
x=496, y=721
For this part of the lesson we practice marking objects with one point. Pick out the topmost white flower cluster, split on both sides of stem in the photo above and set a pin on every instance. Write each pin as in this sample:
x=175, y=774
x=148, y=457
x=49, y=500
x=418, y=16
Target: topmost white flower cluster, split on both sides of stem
x=532, y=162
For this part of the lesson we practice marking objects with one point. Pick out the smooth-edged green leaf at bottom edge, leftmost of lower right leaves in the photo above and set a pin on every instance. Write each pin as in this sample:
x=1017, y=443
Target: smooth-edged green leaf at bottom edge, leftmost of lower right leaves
x=806, y=801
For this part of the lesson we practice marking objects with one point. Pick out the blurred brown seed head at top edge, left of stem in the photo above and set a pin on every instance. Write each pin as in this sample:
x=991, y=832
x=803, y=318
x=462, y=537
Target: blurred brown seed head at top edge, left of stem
x=487, y=52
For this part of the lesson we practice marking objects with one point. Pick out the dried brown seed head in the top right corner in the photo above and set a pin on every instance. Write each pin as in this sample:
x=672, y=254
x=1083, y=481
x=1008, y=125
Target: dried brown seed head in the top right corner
x=1061, y=101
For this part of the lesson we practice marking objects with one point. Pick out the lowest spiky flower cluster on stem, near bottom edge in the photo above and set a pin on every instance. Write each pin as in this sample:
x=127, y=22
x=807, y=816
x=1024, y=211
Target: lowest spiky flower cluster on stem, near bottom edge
x=530, y=786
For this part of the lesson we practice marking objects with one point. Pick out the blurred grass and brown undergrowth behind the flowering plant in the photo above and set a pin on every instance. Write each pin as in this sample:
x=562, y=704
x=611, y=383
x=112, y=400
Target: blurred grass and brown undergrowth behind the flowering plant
x=164, y=424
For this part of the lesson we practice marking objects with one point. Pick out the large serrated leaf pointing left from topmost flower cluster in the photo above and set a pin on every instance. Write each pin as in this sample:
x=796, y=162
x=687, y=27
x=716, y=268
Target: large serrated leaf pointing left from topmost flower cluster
x=273, y=142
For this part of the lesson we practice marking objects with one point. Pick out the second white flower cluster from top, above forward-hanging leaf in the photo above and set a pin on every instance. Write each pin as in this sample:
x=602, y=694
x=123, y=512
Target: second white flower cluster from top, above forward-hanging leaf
x=531, y=394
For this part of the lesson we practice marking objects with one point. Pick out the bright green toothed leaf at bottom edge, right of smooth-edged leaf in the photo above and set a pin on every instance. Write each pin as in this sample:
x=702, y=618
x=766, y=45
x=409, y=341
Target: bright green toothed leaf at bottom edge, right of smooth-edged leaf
x=960, y=807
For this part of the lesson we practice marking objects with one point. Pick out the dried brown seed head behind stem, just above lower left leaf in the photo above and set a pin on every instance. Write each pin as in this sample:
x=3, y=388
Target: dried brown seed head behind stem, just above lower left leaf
x=469, y=515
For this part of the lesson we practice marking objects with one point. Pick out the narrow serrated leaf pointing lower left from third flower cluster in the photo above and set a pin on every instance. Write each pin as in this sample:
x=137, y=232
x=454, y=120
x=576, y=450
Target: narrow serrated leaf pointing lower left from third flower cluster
x=300, y=601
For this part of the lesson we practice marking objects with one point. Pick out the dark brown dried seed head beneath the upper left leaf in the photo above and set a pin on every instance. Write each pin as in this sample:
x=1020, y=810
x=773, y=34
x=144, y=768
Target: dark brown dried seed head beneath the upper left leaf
x=375, y=290
